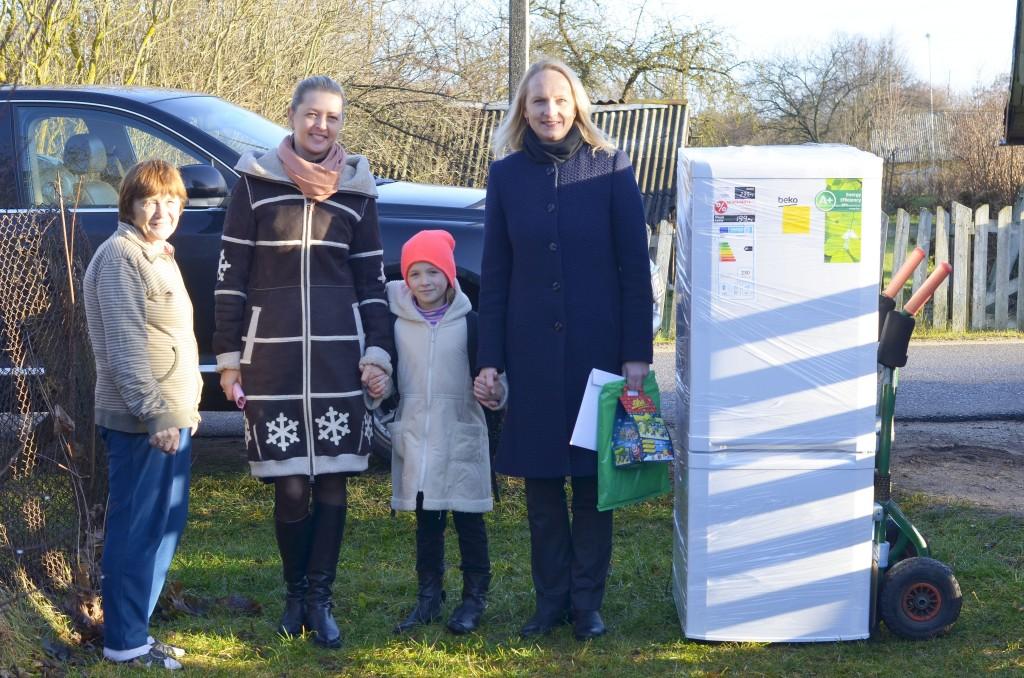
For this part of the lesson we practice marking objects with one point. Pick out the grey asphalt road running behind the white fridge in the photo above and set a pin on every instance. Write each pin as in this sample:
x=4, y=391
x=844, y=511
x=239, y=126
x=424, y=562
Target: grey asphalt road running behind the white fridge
x=944, y=382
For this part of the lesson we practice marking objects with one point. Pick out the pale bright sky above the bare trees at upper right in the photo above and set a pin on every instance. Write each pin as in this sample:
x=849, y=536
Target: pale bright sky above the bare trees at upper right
x=971, y=40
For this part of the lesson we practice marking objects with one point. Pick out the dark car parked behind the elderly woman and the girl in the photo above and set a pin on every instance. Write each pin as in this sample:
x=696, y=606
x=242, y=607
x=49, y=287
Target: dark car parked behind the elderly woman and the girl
x=87, y=139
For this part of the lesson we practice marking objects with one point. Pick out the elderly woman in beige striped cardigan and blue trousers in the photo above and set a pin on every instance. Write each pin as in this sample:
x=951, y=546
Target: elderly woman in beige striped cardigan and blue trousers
x=148, y=393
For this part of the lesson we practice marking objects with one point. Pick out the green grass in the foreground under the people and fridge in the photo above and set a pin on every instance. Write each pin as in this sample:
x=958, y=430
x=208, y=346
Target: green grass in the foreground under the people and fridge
x=229, y=549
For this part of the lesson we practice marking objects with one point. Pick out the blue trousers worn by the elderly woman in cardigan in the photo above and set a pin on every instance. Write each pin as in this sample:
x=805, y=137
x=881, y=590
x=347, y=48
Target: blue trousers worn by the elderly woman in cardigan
x=146, y=516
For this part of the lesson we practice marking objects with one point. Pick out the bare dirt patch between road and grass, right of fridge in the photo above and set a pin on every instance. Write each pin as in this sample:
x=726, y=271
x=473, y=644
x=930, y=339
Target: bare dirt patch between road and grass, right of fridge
x=982, y=463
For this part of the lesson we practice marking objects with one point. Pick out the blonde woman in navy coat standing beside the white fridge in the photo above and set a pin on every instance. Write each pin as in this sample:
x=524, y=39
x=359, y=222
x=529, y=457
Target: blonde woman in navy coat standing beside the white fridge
x=566, y=288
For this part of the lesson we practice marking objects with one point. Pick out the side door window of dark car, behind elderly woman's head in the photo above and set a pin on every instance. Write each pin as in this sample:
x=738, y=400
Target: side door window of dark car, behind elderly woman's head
x=80, y=156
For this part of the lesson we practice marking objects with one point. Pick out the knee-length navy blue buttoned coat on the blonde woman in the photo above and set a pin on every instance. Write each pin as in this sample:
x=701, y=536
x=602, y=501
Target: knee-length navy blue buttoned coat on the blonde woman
x=566, y=288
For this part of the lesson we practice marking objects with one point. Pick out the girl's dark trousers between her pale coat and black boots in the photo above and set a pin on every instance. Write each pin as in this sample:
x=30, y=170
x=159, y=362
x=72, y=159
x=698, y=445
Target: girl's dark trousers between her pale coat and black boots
x=431, y=541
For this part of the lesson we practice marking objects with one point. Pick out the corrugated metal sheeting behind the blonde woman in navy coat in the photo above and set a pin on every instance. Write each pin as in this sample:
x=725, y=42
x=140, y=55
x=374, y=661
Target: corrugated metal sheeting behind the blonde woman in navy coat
x=650, y=134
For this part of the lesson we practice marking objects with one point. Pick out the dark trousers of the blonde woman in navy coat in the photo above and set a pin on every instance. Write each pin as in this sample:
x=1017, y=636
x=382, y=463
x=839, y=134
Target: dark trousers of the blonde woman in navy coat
x=570, y=561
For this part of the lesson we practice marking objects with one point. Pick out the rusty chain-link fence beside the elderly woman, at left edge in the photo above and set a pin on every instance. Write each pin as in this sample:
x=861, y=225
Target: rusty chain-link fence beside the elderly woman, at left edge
x=53, y=476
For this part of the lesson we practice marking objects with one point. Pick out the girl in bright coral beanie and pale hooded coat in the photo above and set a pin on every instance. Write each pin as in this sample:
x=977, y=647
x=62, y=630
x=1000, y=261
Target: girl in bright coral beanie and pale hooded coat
x=441, y=459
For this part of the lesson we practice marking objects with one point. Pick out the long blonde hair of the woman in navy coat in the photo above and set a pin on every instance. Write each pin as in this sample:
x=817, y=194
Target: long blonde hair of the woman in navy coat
x=508, y=137
